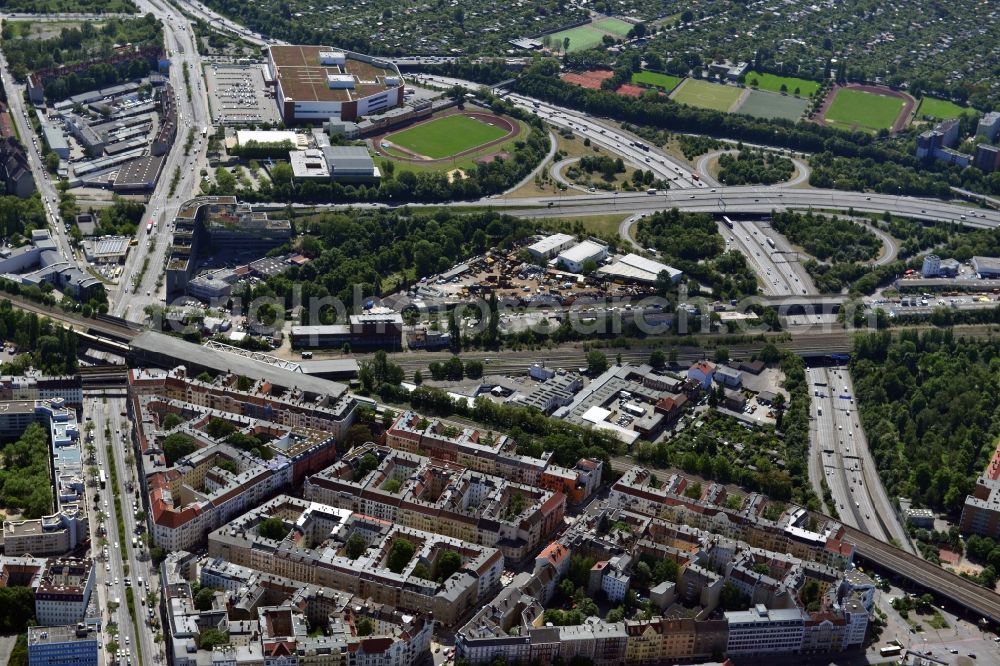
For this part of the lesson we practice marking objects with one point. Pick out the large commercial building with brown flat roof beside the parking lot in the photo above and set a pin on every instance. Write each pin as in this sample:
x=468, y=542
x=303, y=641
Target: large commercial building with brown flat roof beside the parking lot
x=317, y=83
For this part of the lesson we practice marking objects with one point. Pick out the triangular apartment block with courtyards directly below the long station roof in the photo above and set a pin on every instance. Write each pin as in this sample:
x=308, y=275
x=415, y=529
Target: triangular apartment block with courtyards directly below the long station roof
x=270, y=440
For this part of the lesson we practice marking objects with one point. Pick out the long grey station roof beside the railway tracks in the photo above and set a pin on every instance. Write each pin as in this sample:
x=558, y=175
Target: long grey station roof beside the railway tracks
x=188, y=353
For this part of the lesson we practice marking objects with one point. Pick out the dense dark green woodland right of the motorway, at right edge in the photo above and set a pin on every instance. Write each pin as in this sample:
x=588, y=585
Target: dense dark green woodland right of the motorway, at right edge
x=926, y=404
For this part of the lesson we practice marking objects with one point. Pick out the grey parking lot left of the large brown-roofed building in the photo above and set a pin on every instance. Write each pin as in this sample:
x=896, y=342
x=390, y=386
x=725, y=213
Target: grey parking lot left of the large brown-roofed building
x=237, y=95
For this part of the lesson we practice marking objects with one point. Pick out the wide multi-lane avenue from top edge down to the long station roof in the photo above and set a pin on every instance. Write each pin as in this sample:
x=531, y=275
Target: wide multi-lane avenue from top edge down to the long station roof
x=137, y=287
